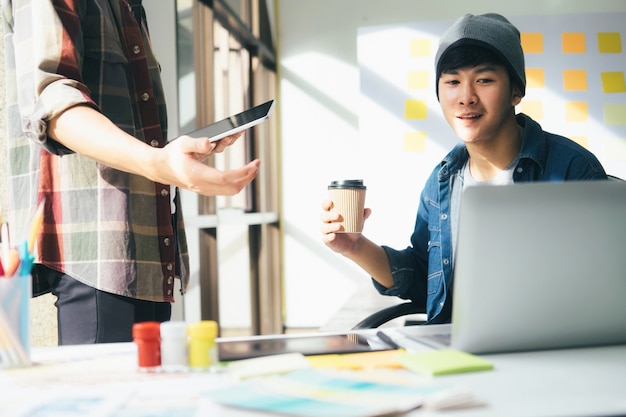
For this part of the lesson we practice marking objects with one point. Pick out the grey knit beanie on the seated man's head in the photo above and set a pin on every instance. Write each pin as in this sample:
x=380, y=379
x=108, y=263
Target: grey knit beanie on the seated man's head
x=491, y=31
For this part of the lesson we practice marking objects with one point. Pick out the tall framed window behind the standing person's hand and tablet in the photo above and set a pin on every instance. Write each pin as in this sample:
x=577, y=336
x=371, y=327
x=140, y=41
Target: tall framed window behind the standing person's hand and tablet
x=226, y=64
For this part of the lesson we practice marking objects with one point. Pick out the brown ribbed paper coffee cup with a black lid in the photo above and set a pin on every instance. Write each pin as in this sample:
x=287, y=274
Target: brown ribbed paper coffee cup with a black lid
x=348, y=197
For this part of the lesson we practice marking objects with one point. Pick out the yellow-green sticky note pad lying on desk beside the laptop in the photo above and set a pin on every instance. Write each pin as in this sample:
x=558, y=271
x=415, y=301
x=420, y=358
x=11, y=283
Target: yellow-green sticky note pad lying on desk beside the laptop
x=443, y=362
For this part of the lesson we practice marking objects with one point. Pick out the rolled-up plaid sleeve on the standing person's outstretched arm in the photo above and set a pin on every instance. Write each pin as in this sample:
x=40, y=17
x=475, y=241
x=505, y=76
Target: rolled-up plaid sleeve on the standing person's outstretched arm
x=47, y=68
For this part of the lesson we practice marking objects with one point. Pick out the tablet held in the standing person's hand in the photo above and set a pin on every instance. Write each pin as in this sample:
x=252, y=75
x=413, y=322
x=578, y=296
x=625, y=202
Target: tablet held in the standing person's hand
x=236, y=123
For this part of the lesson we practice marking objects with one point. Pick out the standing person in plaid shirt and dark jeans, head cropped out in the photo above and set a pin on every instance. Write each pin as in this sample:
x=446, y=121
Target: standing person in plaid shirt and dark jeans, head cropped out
x=87, y=132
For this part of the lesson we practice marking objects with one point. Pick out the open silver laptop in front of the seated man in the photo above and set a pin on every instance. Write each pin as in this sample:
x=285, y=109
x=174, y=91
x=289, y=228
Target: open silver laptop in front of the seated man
x=538, y=266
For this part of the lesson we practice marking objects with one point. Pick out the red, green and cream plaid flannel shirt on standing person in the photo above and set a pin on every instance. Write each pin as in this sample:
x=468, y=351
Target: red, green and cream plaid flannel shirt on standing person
x=106, y=228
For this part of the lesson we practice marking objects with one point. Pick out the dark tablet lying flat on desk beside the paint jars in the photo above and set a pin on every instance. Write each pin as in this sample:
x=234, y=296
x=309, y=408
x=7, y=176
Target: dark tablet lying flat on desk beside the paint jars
x=230, y=349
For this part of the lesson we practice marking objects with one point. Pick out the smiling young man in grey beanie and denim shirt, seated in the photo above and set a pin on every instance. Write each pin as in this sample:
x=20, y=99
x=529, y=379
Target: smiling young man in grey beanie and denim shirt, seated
x=480, y=79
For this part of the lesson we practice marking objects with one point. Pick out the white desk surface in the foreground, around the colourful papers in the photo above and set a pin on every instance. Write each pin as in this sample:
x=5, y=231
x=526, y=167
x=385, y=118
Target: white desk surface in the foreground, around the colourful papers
x=81, y=379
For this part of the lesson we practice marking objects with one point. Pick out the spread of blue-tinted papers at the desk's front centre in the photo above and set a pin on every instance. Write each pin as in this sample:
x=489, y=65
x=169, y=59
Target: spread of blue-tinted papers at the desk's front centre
x=342, y=393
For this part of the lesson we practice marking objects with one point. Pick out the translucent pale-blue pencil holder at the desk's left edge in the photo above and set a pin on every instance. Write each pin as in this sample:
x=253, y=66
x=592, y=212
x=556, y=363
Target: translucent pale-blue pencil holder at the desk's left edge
x=15, y=294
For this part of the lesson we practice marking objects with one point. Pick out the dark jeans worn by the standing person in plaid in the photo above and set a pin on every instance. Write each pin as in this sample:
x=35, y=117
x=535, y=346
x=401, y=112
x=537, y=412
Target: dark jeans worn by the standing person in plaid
x=87, y=315
